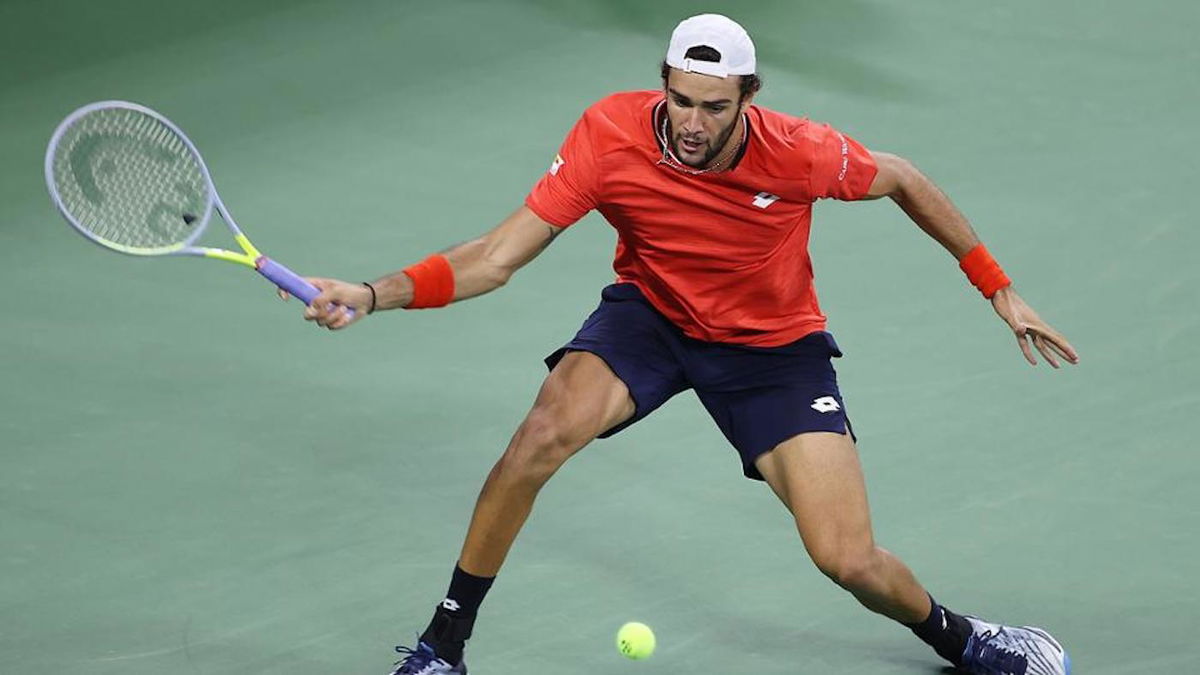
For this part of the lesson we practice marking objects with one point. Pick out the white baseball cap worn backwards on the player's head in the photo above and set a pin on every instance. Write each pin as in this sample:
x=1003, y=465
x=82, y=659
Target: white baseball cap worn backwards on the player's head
x=717, y=32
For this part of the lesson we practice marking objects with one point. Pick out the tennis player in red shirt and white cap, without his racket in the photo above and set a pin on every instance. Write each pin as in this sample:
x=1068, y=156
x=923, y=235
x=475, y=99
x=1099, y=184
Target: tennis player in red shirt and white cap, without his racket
x=712, y=200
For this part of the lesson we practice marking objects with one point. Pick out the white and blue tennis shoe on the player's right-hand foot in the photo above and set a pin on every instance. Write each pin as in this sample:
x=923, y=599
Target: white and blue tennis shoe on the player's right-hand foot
x=1013, y=650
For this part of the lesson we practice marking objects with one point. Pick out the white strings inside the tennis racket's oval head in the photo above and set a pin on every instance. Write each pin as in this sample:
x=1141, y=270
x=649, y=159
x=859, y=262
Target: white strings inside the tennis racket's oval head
x=130, y=181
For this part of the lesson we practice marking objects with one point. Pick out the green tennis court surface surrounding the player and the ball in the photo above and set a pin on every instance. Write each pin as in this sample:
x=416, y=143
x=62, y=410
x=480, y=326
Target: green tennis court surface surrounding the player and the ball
x=194, y=481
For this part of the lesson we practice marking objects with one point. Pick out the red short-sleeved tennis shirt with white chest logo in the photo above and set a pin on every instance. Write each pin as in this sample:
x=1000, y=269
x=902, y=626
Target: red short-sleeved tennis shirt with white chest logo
x=724, y=255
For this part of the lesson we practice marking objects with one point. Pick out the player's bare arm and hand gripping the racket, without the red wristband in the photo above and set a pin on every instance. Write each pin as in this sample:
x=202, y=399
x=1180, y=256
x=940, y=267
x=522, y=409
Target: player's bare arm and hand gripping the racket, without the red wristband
x=479, y=266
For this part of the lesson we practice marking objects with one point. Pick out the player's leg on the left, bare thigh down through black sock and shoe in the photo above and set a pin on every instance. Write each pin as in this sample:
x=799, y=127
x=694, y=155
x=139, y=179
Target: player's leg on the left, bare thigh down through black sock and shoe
x=579, y=401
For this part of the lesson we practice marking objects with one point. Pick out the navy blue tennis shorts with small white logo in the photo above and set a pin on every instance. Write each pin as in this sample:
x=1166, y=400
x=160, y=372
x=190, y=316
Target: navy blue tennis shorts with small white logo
x=759, y=397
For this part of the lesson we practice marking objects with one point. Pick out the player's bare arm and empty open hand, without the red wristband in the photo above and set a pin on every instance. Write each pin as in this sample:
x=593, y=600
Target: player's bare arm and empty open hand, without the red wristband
x=938, y=217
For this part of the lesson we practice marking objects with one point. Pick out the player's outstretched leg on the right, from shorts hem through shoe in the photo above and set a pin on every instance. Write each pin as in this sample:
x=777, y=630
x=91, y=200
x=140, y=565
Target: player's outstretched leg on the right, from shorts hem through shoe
x=819, y=479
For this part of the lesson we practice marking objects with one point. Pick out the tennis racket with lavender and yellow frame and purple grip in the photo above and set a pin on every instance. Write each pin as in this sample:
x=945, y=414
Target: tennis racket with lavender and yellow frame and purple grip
x=129, y=180
